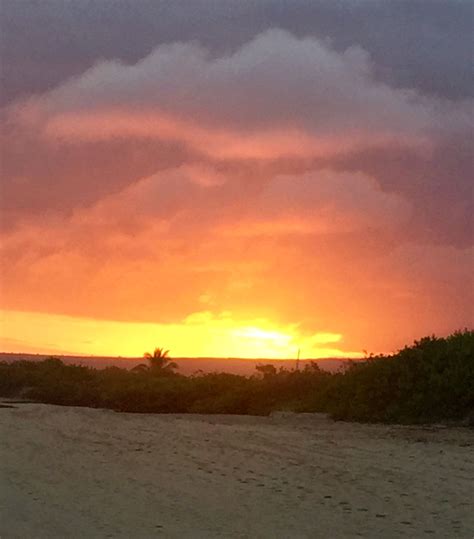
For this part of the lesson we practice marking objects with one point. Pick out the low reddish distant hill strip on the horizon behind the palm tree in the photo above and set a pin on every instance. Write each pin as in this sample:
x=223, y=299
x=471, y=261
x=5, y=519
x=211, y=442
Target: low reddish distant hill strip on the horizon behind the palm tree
x=187, y=366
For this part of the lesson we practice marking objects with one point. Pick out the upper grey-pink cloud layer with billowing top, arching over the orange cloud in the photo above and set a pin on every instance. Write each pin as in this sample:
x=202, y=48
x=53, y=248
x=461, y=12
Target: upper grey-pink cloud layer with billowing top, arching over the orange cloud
x=296, y=102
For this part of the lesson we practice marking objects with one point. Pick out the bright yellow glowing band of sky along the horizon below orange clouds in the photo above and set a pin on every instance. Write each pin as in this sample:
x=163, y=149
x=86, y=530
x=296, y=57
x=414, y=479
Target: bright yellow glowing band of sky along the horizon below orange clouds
x=200, y=335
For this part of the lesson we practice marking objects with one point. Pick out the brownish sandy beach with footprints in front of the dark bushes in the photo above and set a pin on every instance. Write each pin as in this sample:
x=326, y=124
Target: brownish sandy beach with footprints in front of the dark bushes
x=77, y=472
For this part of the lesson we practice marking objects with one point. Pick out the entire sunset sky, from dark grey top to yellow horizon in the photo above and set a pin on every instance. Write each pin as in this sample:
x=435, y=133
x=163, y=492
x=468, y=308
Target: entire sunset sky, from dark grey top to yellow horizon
x=235, y=178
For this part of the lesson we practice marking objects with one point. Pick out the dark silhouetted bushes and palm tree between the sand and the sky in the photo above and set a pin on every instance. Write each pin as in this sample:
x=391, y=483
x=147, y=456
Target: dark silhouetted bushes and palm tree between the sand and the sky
x=432, y=380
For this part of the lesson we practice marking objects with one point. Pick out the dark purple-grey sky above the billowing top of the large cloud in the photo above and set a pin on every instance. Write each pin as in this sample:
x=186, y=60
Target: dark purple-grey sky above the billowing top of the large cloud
x=414, y=43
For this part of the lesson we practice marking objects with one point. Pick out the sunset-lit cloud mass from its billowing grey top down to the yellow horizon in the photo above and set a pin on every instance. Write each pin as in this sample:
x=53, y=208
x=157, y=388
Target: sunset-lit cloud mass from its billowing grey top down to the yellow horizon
x=188, y=202
